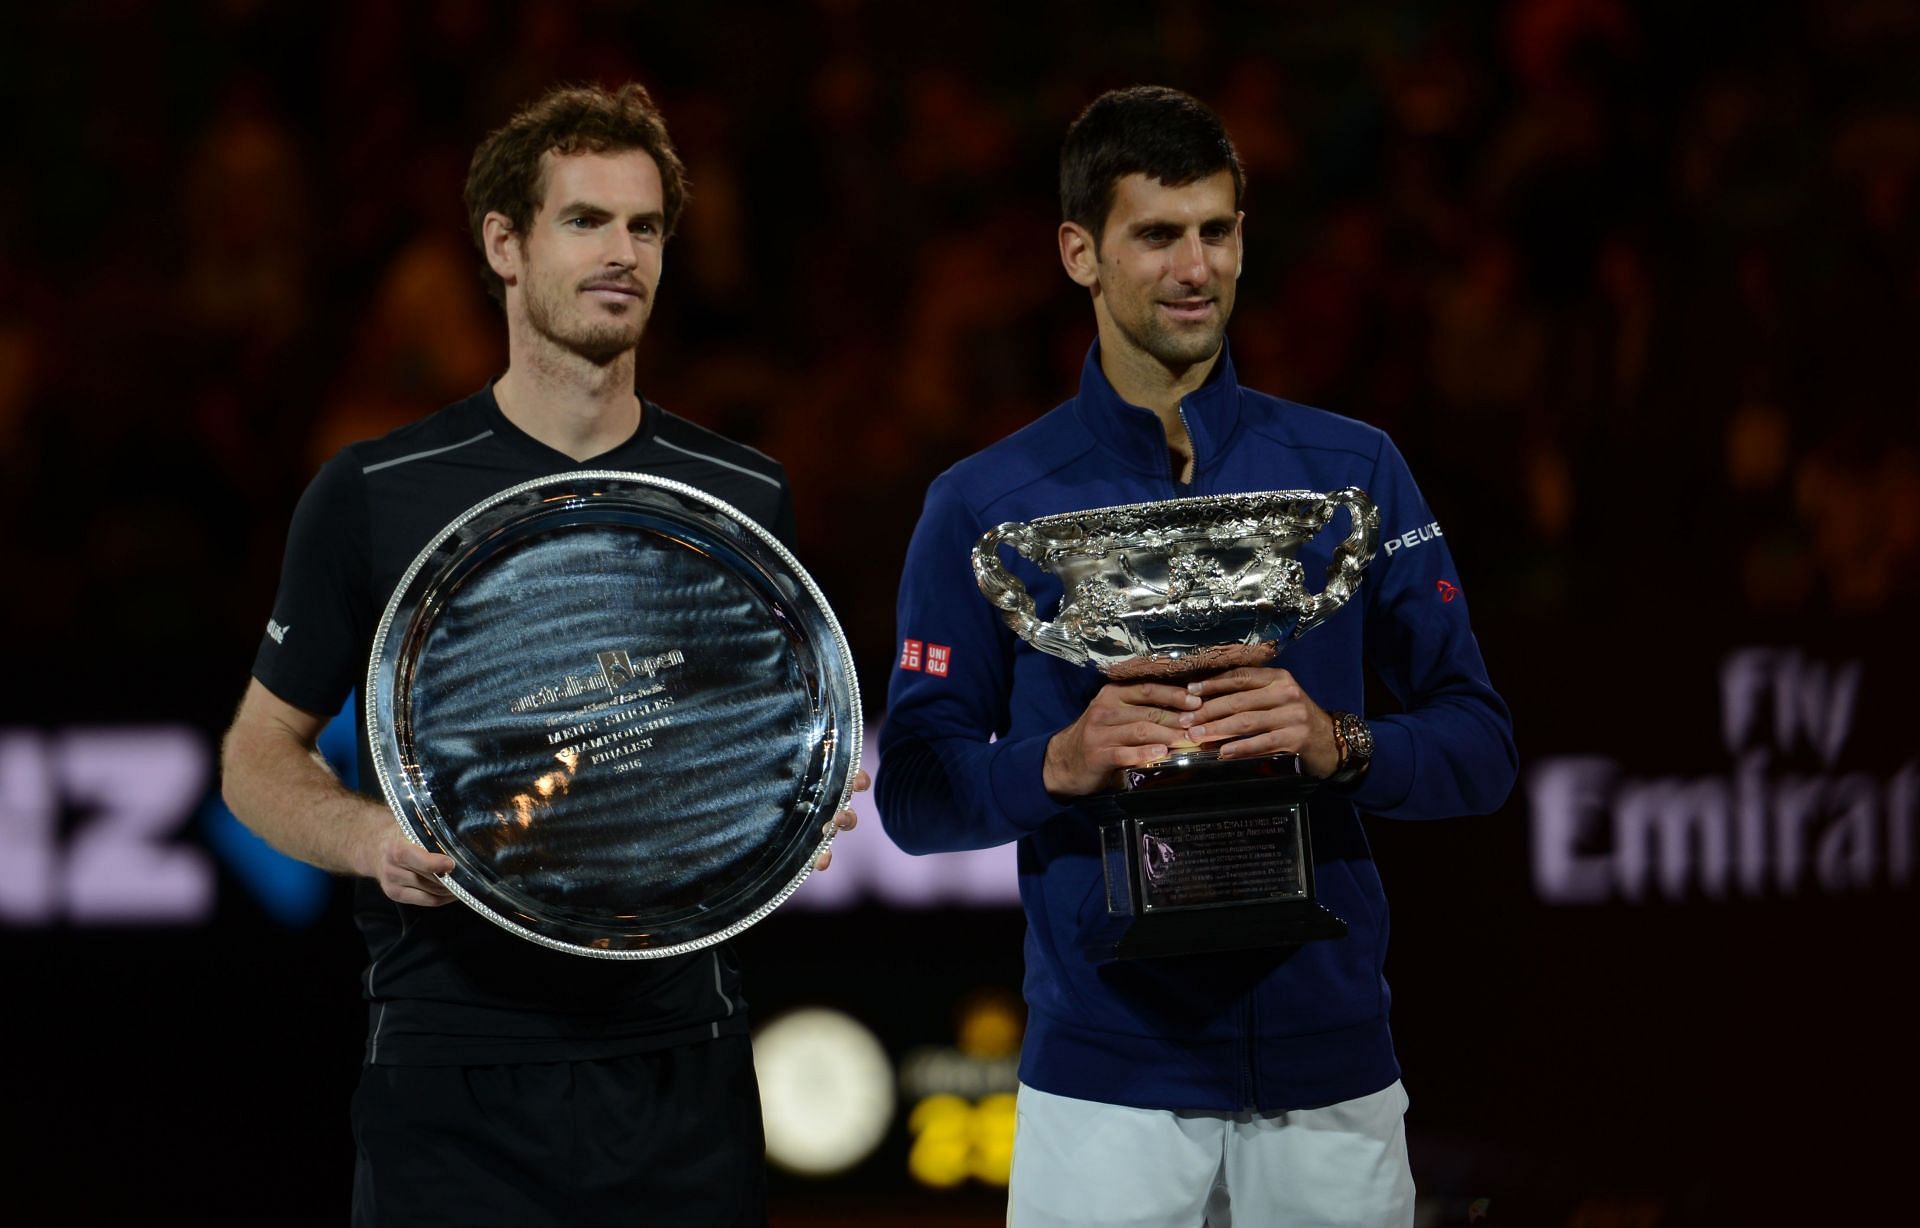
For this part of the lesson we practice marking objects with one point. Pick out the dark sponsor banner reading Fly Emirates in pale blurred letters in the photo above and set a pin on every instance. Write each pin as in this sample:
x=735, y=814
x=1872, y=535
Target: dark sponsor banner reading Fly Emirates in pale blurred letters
x=1771, y=793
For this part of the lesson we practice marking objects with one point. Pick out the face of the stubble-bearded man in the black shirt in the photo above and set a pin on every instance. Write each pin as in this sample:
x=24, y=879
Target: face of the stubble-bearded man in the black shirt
x=592, y=258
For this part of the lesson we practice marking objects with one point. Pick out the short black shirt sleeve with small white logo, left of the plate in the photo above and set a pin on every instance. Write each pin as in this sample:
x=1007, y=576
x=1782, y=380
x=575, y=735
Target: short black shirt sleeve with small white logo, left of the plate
x=312, y=653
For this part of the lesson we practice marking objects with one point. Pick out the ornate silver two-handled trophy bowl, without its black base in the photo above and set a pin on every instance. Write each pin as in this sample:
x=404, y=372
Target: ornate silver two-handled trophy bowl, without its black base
x=1168, y=592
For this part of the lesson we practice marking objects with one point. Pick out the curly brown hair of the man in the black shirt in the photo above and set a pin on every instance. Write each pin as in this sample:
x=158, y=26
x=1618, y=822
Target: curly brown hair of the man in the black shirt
x=508, y=176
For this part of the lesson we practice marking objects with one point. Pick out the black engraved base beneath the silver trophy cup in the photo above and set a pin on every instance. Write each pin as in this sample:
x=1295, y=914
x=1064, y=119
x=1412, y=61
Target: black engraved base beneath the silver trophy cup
x=1209, y=857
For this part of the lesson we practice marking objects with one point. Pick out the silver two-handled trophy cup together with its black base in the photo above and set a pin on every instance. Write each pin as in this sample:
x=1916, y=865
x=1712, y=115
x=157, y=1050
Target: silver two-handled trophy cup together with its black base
x=1201, y=855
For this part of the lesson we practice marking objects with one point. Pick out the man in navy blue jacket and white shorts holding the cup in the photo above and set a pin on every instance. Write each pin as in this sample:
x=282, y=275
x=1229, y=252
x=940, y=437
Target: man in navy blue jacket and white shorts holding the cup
x=1245, y=1087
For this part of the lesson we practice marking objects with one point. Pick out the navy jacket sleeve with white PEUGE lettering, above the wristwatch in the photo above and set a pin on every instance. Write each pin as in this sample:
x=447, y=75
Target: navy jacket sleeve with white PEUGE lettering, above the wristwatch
x=1451, y=751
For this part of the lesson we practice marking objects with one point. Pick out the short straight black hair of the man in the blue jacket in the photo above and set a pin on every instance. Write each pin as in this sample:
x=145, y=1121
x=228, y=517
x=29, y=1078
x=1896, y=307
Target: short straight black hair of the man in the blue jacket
x=1147, y=130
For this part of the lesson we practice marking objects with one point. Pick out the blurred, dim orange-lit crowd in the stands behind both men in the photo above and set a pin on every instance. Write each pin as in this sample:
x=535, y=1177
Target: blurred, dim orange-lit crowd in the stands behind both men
x=1629, y=283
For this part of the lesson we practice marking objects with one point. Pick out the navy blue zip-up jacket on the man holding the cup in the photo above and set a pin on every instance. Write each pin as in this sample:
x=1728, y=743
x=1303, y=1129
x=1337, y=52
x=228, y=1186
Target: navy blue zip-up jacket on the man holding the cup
x=972, y=709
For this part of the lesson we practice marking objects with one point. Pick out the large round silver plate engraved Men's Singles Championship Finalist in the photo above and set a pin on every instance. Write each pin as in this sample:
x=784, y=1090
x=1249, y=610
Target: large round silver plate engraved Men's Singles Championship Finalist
x=621, y=707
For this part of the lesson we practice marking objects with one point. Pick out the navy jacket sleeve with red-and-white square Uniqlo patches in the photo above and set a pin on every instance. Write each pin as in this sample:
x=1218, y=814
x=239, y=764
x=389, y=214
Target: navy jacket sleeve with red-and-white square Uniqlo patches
x=944, y=782
